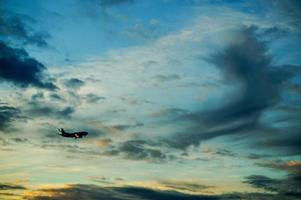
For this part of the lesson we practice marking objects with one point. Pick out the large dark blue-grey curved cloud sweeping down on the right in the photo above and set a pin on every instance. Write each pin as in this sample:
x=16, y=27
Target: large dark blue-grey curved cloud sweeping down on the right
x=245, y=62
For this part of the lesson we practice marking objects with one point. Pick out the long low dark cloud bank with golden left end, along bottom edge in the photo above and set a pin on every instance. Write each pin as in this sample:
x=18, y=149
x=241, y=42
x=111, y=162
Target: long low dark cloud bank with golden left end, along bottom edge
x=96, y=192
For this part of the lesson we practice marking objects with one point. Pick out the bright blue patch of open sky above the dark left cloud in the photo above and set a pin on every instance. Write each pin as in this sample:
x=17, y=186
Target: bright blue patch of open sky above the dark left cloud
x=77, y=34
